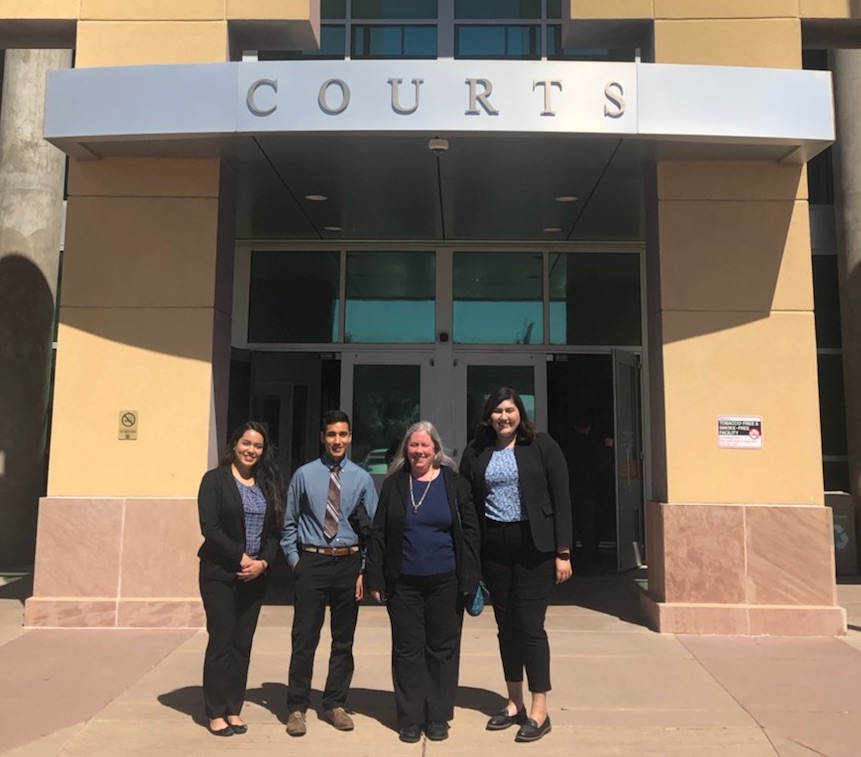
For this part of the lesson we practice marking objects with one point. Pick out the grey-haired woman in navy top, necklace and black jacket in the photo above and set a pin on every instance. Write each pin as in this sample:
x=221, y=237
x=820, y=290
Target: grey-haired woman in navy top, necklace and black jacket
x=424, y=557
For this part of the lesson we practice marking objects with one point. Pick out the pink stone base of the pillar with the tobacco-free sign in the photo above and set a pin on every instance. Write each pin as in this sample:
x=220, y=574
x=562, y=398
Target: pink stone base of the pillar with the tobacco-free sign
x=741, y=569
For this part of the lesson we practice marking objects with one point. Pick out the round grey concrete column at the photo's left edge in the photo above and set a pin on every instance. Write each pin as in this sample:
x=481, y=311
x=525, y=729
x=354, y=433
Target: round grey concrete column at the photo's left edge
x=31, y=209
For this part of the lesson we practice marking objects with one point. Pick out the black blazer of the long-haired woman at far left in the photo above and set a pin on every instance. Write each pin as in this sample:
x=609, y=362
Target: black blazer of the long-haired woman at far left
x=222, y=523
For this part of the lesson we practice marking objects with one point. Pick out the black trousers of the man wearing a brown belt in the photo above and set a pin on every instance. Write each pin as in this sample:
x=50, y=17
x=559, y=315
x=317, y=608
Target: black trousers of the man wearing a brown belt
x=320, y=581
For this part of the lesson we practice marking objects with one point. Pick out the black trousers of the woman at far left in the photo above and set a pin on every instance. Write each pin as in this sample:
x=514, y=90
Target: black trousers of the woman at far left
x=232, y=609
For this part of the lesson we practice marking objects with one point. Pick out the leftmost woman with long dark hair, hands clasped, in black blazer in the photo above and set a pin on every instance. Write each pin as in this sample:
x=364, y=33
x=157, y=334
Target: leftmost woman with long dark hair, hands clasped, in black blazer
x=241, y=508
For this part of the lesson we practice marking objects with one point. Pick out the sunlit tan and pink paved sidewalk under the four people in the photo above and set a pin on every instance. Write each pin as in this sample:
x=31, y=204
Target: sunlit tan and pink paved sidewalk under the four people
x=619, y=689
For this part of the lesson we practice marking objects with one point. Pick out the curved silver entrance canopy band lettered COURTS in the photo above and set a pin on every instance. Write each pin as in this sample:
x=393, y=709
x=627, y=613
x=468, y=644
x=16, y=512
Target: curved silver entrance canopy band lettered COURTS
x=204, y=109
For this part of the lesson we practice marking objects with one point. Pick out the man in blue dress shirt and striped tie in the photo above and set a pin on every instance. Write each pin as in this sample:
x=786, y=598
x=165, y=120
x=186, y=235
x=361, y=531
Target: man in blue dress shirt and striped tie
x=323, y=551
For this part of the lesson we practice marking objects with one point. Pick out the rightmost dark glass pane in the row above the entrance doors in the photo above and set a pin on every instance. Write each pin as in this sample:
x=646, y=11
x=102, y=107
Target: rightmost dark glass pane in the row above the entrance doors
x=595, y=299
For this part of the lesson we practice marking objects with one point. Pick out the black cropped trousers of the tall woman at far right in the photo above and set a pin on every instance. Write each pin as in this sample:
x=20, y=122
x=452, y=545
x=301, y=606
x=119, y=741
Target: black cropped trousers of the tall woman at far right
x=520, y=580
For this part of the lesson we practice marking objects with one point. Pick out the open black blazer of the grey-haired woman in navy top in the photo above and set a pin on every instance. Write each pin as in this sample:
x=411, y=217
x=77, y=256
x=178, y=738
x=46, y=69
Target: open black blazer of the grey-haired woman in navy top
x=385, y=553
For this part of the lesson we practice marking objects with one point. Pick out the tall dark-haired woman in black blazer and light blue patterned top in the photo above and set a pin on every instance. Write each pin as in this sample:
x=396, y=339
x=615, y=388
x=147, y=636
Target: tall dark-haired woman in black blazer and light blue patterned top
x=519, y=481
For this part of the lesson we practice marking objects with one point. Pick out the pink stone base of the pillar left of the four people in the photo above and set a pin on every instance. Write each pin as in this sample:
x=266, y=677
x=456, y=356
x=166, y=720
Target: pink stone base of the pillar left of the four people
x=116, y=562
